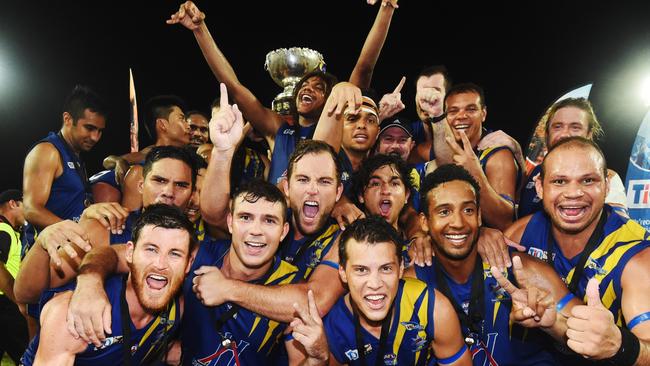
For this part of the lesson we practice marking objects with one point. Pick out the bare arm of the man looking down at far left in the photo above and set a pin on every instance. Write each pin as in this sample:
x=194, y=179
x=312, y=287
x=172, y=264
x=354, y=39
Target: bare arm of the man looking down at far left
x=42, y=166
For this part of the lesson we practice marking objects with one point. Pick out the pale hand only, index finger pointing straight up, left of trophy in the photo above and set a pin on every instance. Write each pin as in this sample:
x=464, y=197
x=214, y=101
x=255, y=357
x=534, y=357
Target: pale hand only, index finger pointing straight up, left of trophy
x=227, y=125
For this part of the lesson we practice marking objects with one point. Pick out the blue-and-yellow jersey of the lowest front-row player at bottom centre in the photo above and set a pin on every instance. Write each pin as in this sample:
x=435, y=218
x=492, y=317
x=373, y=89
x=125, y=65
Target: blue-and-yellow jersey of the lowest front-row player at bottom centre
x=410, y=335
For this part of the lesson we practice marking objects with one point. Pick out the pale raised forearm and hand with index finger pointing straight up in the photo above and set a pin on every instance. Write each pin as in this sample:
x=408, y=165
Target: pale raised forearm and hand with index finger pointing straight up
x=226, y=129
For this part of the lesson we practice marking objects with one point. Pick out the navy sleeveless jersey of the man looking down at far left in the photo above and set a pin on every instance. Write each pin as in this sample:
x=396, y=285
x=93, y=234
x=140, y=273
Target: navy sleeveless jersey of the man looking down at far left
x=68, y=192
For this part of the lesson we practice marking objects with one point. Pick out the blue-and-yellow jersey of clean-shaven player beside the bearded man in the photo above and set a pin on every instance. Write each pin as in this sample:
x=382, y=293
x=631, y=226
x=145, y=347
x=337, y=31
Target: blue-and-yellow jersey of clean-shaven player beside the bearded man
x=252, y=337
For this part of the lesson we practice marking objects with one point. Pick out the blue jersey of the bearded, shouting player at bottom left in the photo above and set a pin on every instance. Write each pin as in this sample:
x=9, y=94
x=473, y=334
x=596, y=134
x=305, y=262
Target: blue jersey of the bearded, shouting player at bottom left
x=145, y=342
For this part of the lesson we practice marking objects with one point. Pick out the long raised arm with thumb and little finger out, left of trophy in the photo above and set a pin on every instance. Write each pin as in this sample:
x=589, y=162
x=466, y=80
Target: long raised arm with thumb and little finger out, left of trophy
x=263, y=119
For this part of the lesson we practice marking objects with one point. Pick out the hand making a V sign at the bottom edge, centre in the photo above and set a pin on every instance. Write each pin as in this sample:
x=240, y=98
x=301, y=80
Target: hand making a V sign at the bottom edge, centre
x=308, y=330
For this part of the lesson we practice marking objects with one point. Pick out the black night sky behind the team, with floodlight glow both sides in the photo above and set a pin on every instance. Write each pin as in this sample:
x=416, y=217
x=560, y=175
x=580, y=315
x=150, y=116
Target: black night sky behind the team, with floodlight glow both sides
x=525, y=55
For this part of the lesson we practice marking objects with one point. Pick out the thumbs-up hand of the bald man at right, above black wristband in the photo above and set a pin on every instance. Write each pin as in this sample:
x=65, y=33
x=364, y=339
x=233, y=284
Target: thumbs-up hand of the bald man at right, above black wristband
x=591, y=329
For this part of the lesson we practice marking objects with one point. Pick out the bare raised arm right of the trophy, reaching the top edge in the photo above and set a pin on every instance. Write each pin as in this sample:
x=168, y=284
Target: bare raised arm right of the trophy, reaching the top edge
x=362, y=73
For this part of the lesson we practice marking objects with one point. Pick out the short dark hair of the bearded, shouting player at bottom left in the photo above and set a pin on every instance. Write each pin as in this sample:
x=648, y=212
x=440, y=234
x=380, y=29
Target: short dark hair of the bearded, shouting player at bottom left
x=167, y=217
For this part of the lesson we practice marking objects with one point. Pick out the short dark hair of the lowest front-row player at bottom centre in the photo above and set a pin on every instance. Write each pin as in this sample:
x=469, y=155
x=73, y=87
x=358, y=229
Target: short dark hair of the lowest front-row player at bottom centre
x=372, y=230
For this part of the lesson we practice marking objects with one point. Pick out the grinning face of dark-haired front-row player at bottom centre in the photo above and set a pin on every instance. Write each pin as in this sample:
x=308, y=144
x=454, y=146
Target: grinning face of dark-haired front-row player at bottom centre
x=372, y=273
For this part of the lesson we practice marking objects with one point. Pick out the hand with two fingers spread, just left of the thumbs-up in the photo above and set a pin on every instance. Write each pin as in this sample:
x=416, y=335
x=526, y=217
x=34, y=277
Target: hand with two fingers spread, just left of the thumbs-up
x=531, y=307
